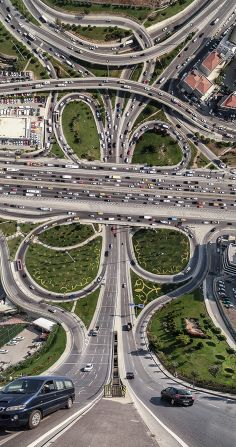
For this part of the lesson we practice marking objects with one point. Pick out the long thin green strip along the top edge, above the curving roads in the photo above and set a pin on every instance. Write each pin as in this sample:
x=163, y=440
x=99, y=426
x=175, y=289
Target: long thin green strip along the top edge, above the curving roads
x=139, y=13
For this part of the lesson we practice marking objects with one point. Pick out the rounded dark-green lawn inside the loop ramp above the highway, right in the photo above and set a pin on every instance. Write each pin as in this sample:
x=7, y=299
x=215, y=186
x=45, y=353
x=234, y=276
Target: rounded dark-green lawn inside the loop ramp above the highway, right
x=157, y=149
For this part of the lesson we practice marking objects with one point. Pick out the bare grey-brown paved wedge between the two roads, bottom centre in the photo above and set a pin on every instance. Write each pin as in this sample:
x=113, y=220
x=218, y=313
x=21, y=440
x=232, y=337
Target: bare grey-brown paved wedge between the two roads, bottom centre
x=111, y=422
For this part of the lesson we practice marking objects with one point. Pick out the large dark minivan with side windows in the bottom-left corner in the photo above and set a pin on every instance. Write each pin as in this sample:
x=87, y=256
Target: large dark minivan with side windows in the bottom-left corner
x=26, y=400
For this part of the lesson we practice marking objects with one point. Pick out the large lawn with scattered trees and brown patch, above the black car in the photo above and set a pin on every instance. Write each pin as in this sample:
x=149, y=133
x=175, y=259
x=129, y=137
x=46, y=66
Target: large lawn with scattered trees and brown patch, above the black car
x=208, y=364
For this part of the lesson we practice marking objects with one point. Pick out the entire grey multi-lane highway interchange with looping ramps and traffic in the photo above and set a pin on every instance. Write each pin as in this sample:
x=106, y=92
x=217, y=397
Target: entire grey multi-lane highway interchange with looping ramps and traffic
x=113, y=191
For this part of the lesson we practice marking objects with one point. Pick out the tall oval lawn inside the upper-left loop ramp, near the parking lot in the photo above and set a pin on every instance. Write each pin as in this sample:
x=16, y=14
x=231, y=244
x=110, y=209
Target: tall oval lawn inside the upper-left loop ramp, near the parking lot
x=80, y=130
